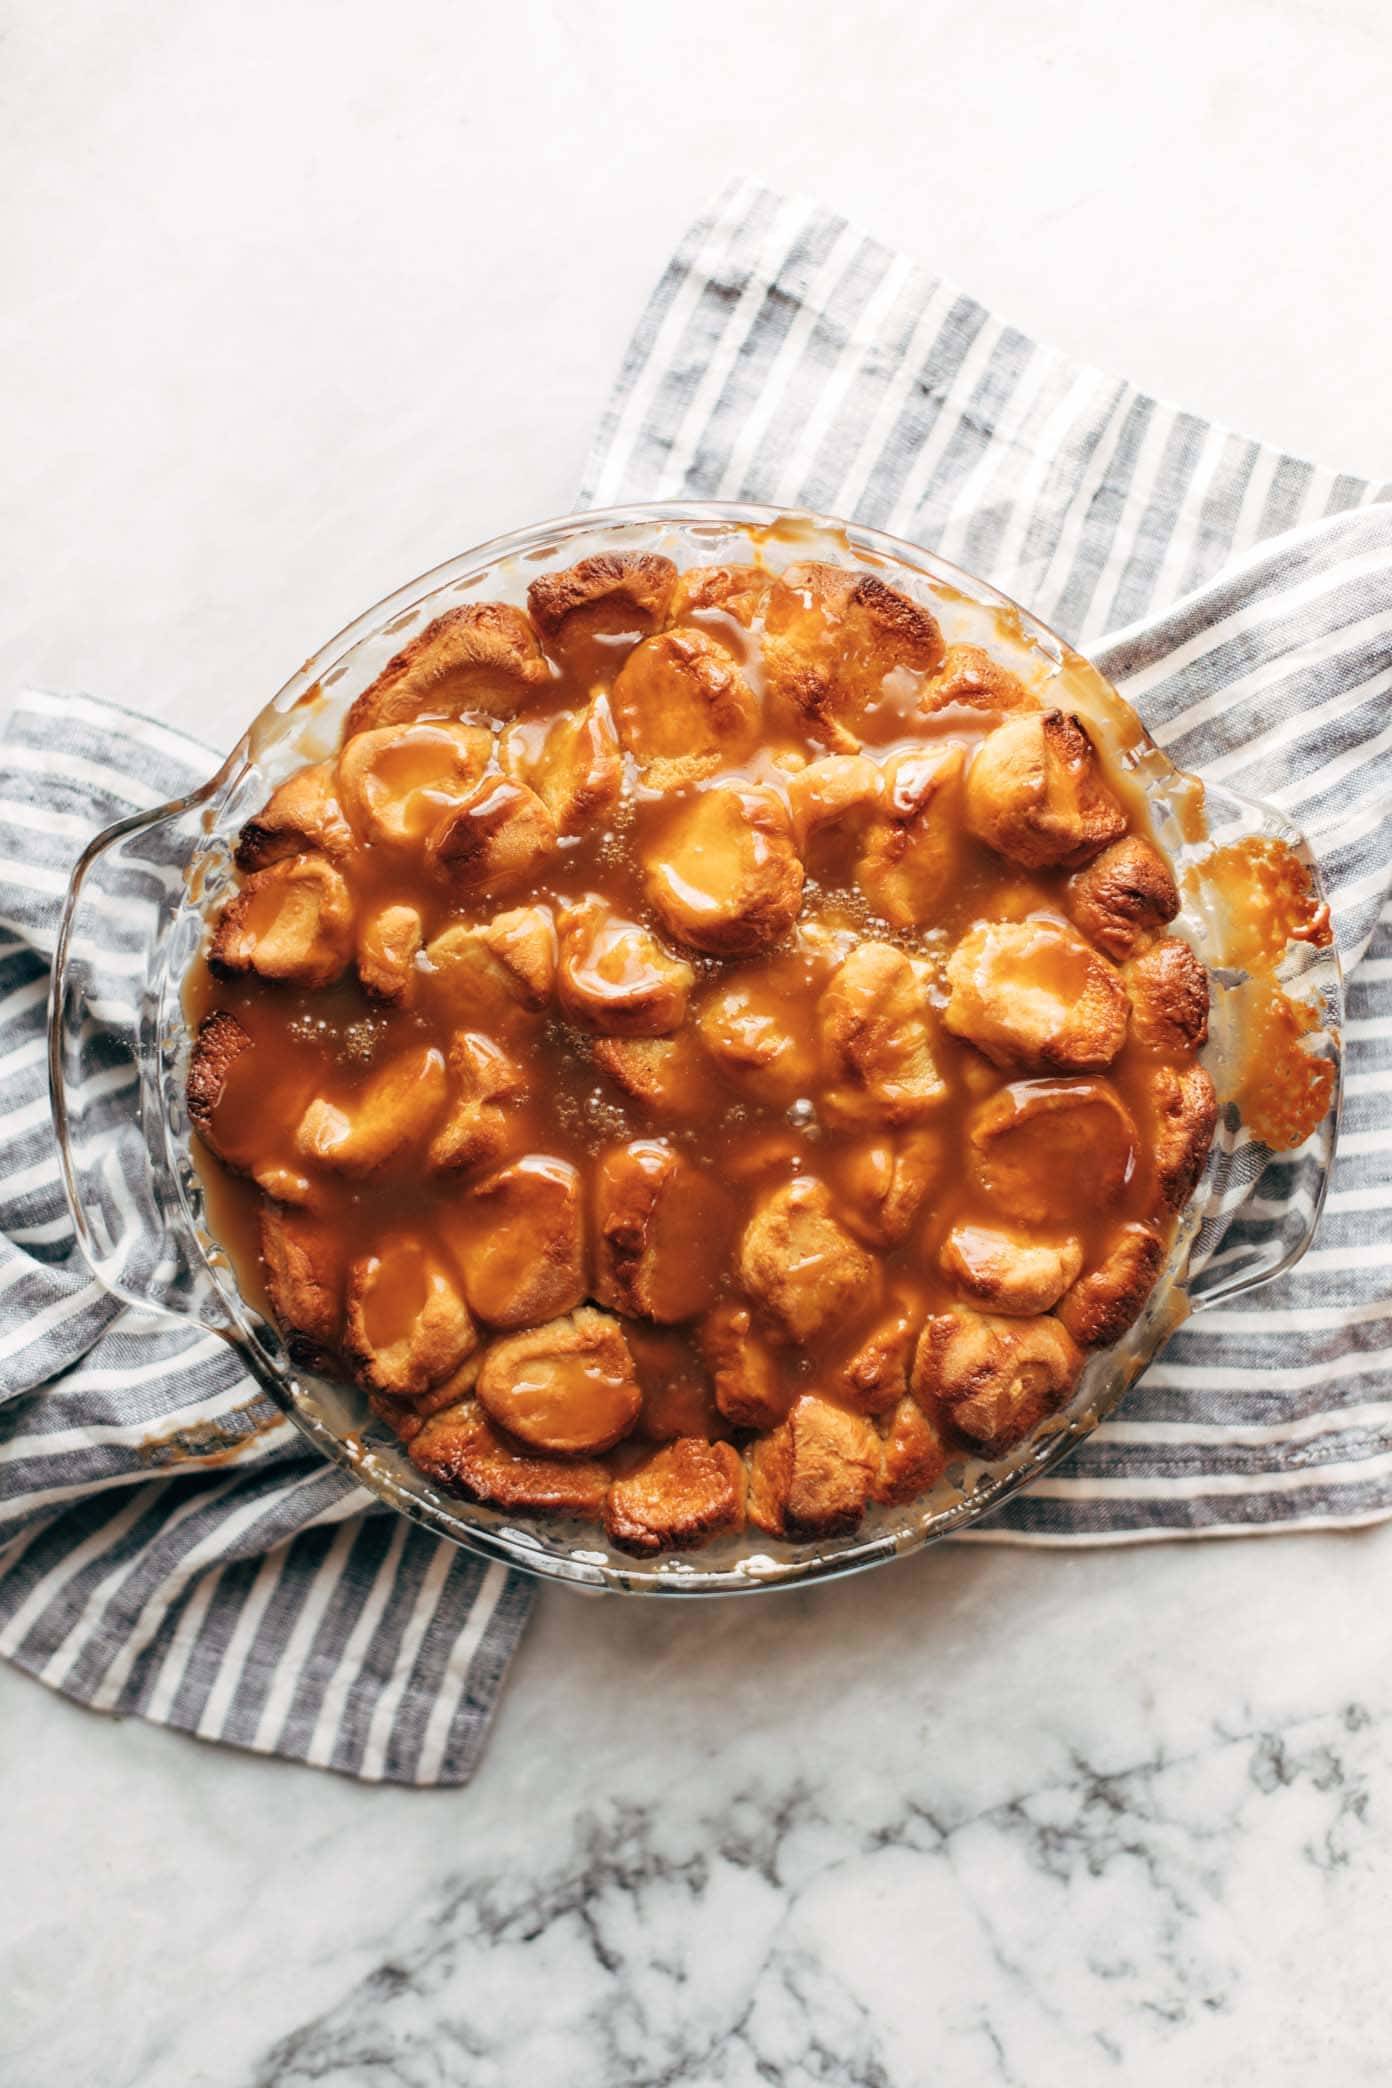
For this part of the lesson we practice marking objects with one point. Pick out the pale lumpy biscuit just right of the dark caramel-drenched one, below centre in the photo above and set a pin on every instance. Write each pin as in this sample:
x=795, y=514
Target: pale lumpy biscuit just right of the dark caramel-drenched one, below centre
x=802, y=1264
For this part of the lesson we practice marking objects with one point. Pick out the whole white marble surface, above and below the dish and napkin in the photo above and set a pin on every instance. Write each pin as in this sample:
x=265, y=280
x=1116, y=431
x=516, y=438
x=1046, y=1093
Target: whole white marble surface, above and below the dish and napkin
x=299, y=302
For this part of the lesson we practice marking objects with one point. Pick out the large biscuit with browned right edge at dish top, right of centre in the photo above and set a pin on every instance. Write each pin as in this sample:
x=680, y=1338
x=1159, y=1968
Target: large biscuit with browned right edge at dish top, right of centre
x=832, y=638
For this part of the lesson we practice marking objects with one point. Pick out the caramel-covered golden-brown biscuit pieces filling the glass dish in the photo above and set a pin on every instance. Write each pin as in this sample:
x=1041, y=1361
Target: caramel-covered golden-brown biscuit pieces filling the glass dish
x=863, y=1131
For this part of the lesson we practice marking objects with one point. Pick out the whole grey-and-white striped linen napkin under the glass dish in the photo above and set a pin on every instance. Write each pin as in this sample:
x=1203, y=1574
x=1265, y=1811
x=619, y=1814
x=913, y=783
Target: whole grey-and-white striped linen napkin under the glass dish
x=170, y=1548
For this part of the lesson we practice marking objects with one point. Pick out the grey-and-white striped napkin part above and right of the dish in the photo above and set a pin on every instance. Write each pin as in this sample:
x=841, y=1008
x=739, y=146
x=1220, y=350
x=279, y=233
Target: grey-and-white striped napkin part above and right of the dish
x=788, y=358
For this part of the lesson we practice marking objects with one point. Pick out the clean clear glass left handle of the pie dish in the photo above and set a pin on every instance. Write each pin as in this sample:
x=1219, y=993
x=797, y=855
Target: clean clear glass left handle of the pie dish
x=116, y=1060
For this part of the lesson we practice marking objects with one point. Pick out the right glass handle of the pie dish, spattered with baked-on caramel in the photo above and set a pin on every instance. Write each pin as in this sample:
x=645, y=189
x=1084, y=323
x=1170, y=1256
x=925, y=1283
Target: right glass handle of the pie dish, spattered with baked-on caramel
x=1245, y=1243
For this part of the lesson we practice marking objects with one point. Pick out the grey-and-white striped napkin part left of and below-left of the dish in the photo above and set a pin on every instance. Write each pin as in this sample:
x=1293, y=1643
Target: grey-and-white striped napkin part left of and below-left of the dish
x=168, y=1542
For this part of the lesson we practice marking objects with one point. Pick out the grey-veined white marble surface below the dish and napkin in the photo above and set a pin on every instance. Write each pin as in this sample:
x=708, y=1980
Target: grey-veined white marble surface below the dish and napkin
x=986, y=1820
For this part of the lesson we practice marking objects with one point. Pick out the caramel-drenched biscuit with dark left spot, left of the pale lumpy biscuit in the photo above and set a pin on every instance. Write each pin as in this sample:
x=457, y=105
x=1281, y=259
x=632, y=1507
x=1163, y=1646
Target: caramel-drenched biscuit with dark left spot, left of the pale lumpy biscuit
x=663, y=1233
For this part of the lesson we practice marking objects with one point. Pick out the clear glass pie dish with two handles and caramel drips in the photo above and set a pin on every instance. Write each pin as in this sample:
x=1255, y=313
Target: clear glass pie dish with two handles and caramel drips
x=1251, y=909
